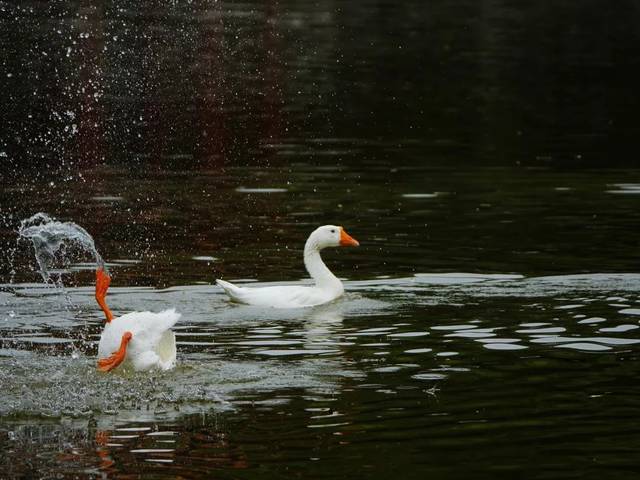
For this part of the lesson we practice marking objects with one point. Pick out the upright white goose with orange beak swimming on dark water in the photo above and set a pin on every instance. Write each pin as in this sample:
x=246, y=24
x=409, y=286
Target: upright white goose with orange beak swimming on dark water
x=327, y=288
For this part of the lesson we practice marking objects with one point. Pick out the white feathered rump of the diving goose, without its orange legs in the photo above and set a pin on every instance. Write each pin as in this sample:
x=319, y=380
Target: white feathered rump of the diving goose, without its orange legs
x=153, y=344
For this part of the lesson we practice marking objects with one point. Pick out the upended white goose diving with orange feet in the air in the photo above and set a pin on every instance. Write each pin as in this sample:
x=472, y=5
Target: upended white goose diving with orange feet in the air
x=143, y=340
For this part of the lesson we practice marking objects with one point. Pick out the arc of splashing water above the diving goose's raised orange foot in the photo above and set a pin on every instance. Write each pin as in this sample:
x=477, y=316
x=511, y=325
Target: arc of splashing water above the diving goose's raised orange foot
x=51, y=238
